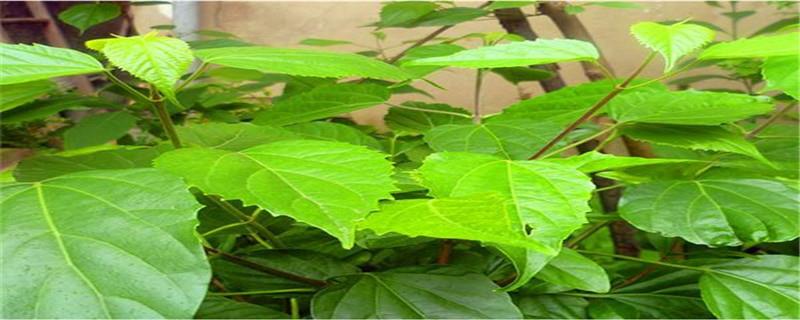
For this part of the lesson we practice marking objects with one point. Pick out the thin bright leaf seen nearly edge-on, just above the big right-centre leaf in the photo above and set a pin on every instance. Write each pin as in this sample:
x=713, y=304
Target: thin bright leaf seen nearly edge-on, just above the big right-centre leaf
x=594, y=161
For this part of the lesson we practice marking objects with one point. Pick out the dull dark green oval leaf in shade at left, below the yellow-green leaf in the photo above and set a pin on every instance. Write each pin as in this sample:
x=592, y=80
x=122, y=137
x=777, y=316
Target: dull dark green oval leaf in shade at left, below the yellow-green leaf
x=98, y=129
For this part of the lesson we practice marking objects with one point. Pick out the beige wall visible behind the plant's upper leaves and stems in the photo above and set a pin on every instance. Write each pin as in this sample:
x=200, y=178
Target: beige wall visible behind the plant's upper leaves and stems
x=285, y=23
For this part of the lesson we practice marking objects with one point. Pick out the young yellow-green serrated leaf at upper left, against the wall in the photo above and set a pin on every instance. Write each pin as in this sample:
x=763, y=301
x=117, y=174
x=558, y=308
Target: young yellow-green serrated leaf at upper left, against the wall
x=156, y=59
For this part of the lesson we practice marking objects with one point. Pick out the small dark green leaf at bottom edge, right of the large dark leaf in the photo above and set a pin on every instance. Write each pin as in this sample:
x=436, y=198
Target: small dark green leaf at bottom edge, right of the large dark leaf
x=553, y=307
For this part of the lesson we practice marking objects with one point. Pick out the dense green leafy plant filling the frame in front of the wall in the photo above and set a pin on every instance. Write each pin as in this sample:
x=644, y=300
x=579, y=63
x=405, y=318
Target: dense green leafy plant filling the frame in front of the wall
x=221, y=199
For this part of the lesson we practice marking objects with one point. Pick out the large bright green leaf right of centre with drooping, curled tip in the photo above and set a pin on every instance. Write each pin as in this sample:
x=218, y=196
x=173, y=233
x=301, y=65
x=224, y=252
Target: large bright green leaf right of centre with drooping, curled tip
x=550, y=199
